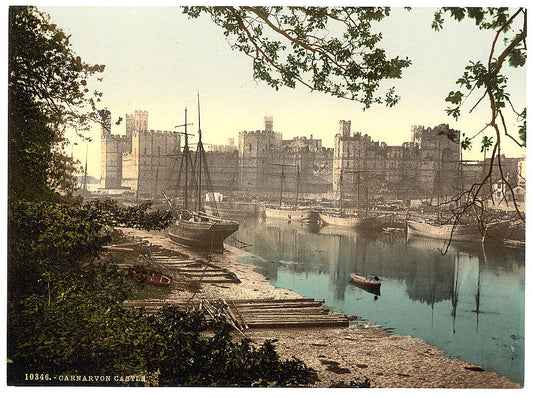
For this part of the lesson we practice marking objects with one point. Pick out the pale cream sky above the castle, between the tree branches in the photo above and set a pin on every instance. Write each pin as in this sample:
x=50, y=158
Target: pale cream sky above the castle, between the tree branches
x=157, y=60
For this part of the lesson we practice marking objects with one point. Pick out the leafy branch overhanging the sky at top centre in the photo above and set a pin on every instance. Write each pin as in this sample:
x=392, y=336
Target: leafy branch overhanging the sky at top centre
x=327, y=49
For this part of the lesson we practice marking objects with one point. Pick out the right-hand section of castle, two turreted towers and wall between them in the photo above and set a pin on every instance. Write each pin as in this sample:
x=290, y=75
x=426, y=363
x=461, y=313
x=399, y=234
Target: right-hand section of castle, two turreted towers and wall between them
x=426, y=167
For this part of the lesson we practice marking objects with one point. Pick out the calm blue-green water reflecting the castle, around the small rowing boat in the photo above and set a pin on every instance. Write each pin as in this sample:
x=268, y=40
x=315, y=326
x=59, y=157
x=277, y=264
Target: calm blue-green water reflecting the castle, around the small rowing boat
x=468, y=303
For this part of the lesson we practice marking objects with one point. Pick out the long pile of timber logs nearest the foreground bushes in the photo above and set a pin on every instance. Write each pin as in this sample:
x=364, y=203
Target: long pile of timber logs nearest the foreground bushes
x=255, y=313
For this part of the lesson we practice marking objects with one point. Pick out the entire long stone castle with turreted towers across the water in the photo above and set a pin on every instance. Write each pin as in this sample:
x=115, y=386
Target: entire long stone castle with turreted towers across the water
x=264, y=166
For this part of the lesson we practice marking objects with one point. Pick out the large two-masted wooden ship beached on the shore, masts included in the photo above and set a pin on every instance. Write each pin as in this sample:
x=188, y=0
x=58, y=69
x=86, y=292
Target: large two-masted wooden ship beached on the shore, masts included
x=196, y=228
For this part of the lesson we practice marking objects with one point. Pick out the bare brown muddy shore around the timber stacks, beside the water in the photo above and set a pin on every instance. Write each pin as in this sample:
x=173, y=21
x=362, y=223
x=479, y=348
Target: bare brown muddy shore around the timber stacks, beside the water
x=346, y=356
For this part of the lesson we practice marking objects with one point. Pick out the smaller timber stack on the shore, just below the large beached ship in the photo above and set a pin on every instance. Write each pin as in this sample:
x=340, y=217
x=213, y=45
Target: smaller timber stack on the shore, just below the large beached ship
x=196, y=270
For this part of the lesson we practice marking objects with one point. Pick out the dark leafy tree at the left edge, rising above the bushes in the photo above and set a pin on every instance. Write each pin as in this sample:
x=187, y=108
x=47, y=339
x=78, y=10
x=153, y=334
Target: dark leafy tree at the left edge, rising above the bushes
x=48, y=92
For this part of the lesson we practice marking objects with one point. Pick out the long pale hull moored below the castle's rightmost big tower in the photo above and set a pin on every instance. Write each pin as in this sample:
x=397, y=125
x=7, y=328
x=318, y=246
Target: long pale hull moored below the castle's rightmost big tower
x=460, y=232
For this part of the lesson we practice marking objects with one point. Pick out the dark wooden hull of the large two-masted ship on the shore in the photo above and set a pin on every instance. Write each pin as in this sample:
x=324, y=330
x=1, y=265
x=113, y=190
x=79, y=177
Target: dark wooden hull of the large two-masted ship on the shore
x=206, y=235
